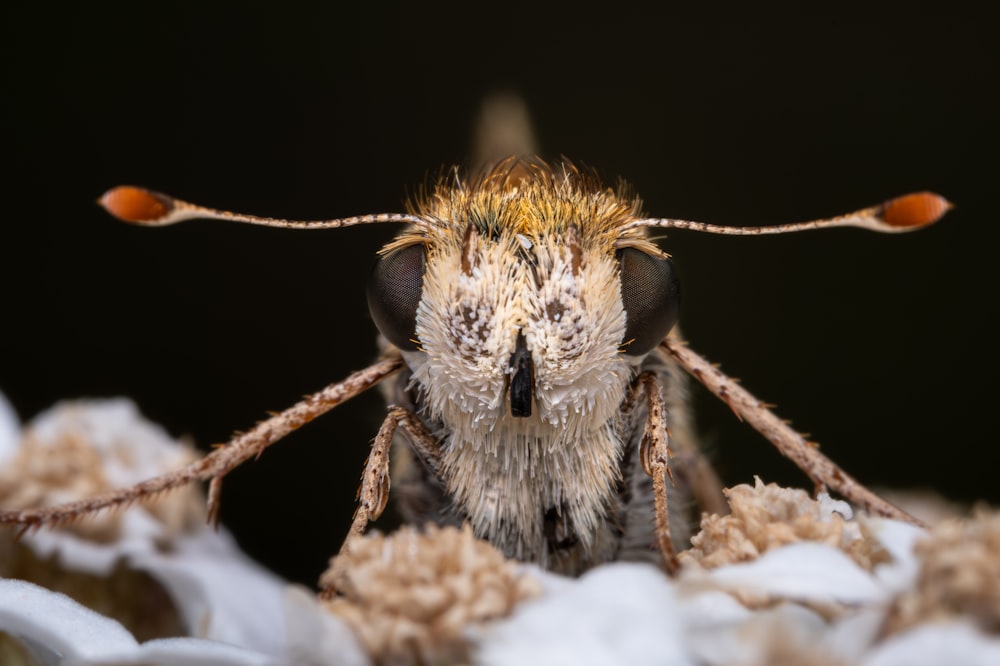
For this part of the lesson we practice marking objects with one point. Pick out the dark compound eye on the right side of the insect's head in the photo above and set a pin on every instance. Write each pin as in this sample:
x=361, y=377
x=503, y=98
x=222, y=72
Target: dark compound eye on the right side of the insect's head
x=651, y=297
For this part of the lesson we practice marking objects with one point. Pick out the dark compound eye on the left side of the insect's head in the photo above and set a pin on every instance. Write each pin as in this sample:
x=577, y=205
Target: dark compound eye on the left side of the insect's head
x=394, y=288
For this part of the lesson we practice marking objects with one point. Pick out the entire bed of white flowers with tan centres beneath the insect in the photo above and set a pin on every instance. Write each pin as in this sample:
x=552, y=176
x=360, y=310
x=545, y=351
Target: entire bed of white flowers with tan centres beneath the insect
x=782, y=579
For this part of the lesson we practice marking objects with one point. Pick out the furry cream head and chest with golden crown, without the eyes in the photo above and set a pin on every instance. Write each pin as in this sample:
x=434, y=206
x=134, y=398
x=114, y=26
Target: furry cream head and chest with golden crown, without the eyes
x=518, y=344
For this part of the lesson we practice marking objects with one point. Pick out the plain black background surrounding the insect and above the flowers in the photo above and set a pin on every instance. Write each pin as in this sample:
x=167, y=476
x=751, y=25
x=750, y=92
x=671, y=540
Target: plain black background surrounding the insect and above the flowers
x=879, y=346
